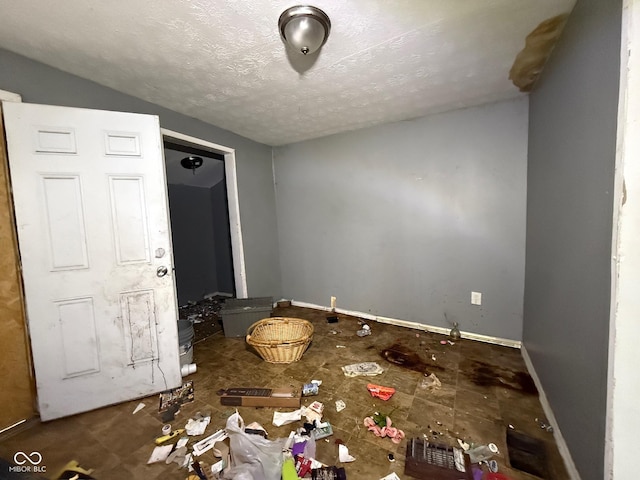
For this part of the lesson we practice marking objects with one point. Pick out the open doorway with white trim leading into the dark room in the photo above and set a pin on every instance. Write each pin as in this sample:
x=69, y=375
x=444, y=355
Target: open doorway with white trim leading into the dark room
x=205, y=224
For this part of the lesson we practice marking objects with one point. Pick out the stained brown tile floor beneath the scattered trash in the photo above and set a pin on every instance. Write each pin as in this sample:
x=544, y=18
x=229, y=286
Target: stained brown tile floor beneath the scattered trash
x=485, y=390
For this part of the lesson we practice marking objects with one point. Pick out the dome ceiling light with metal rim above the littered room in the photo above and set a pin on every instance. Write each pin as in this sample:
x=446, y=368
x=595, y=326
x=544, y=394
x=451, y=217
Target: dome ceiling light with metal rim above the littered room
x=304, y=28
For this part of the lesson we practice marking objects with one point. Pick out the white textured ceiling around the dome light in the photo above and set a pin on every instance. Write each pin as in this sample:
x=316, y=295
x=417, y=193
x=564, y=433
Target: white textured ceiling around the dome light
x=222, y=61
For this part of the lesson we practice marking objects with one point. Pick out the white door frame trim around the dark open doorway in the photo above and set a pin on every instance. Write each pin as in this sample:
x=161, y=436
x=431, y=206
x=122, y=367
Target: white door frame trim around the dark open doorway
x=229, y=154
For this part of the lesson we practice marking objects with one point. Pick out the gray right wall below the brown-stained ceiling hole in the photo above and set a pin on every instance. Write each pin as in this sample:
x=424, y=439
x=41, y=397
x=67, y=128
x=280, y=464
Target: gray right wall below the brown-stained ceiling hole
x=572, y=147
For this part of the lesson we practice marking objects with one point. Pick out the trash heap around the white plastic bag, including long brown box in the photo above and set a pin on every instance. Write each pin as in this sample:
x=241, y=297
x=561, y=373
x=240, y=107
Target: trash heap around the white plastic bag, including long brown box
x=242, y=451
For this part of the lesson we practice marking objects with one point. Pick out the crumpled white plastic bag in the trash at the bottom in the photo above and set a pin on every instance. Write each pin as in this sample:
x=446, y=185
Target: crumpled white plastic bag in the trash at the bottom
x=252, y=456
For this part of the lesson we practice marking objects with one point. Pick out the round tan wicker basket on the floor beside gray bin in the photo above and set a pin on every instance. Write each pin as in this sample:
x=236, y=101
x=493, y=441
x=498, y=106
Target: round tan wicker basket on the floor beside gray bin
x=280, y=339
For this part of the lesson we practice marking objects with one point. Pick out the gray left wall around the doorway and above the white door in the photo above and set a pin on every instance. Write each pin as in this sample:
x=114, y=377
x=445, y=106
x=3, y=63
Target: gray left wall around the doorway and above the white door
x=38, y=83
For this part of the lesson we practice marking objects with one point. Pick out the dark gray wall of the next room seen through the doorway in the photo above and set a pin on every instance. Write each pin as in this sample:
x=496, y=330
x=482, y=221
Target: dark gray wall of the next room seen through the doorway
x=192, y=231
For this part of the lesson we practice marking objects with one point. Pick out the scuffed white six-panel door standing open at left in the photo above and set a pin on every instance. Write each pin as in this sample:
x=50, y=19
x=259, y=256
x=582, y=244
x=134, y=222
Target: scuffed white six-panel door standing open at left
x=93, y=231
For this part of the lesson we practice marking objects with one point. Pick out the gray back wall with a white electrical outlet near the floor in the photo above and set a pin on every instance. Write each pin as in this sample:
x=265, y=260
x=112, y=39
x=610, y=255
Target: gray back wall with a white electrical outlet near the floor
x=406, y=219
